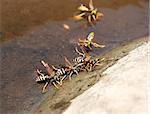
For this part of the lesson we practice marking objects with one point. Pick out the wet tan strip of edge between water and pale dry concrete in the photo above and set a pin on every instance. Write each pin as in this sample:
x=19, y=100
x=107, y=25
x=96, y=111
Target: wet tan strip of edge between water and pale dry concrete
x=58, y=100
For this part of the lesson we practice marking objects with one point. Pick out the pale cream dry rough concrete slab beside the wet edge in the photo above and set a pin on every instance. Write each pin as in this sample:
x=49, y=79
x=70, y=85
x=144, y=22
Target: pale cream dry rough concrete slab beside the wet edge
x=123, y=90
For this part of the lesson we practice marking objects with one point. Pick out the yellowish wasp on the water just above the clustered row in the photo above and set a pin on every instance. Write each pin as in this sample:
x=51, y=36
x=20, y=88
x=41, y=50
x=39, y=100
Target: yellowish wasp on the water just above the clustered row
x=88, y=43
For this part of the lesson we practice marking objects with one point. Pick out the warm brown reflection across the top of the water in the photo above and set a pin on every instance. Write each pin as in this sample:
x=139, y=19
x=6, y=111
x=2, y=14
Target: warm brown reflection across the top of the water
x=19, y=16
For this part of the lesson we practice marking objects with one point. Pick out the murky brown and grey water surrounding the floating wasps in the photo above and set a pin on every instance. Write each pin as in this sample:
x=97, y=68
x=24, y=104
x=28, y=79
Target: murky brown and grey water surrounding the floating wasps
x=32, y=30
